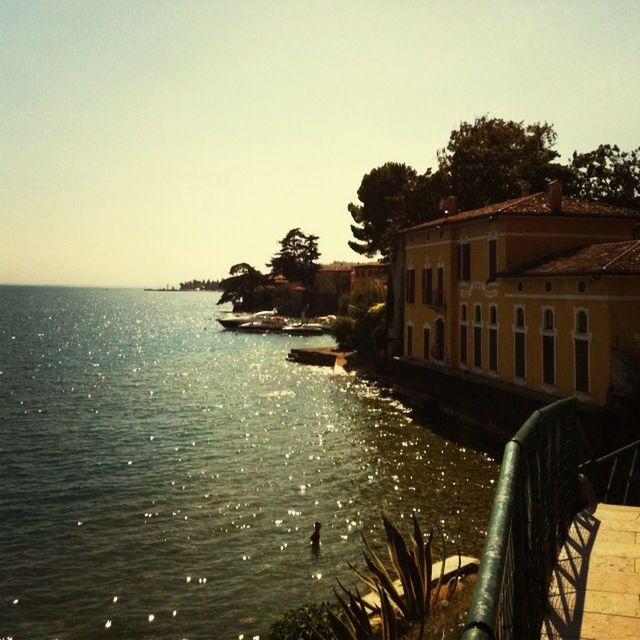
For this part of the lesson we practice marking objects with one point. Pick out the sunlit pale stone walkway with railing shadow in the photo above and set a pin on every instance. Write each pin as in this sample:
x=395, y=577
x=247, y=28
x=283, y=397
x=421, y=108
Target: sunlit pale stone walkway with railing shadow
x=595, y=588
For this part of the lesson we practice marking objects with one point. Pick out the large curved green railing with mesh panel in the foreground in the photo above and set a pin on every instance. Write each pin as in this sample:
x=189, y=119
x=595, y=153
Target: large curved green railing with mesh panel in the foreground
x=536, y=499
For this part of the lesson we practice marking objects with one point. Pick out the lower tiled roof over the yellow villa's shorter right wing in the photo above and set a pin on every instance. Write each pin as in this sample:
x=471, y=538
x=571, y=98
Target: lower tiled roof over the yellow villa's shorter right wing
x=610, y=258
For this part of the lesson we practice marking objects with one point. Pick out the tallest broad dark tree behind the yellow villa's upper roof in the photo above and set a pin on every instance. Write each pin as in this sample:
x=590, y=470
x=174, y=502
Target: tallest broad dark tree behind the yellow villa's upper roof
x=491, y=159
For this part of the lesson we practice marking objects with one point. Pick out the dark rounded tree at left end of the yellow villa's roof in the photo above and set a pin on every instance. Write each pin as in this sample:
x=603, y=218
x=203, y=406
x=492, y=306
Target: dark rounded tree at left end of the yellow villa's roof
x=393, y=196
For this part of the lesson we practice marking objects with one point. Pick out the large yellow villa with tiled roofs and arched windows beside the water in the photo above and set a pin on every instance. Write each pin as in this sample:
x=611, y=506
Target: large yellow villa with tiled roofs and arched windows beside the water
x=542, y=292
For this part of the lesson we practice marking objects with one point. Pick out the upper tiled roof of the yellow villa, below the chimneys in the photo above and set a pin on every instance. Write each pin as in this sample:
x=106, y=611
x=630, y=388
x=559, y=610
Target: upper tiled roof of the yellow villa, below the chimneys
x=536, y=204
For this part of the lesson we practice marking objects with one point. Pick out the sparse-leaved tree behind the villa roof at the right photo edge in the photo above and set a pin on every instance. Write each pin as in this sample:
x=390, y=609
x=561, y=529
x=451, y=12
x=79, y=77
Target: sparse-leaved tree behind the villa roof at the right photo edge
x=608, y=175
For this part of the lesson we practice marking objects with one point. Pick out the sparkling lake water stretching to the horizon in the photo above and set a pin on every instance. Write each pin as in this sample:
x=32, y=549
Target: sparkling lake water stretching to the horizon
x=160, y=476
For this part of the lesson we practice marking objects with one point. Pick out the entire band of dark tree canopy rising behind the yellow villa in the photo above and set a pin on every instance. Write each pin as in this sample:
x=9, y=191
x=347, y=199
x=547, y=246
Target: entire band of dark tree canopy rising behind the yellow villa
x=485, y=161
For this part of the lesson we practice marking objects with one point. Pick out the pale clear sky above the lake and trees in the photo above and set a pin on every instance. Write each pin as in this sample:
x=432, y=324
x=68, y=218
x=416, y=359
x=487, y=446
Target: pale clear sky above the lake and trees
x=143, y=143
